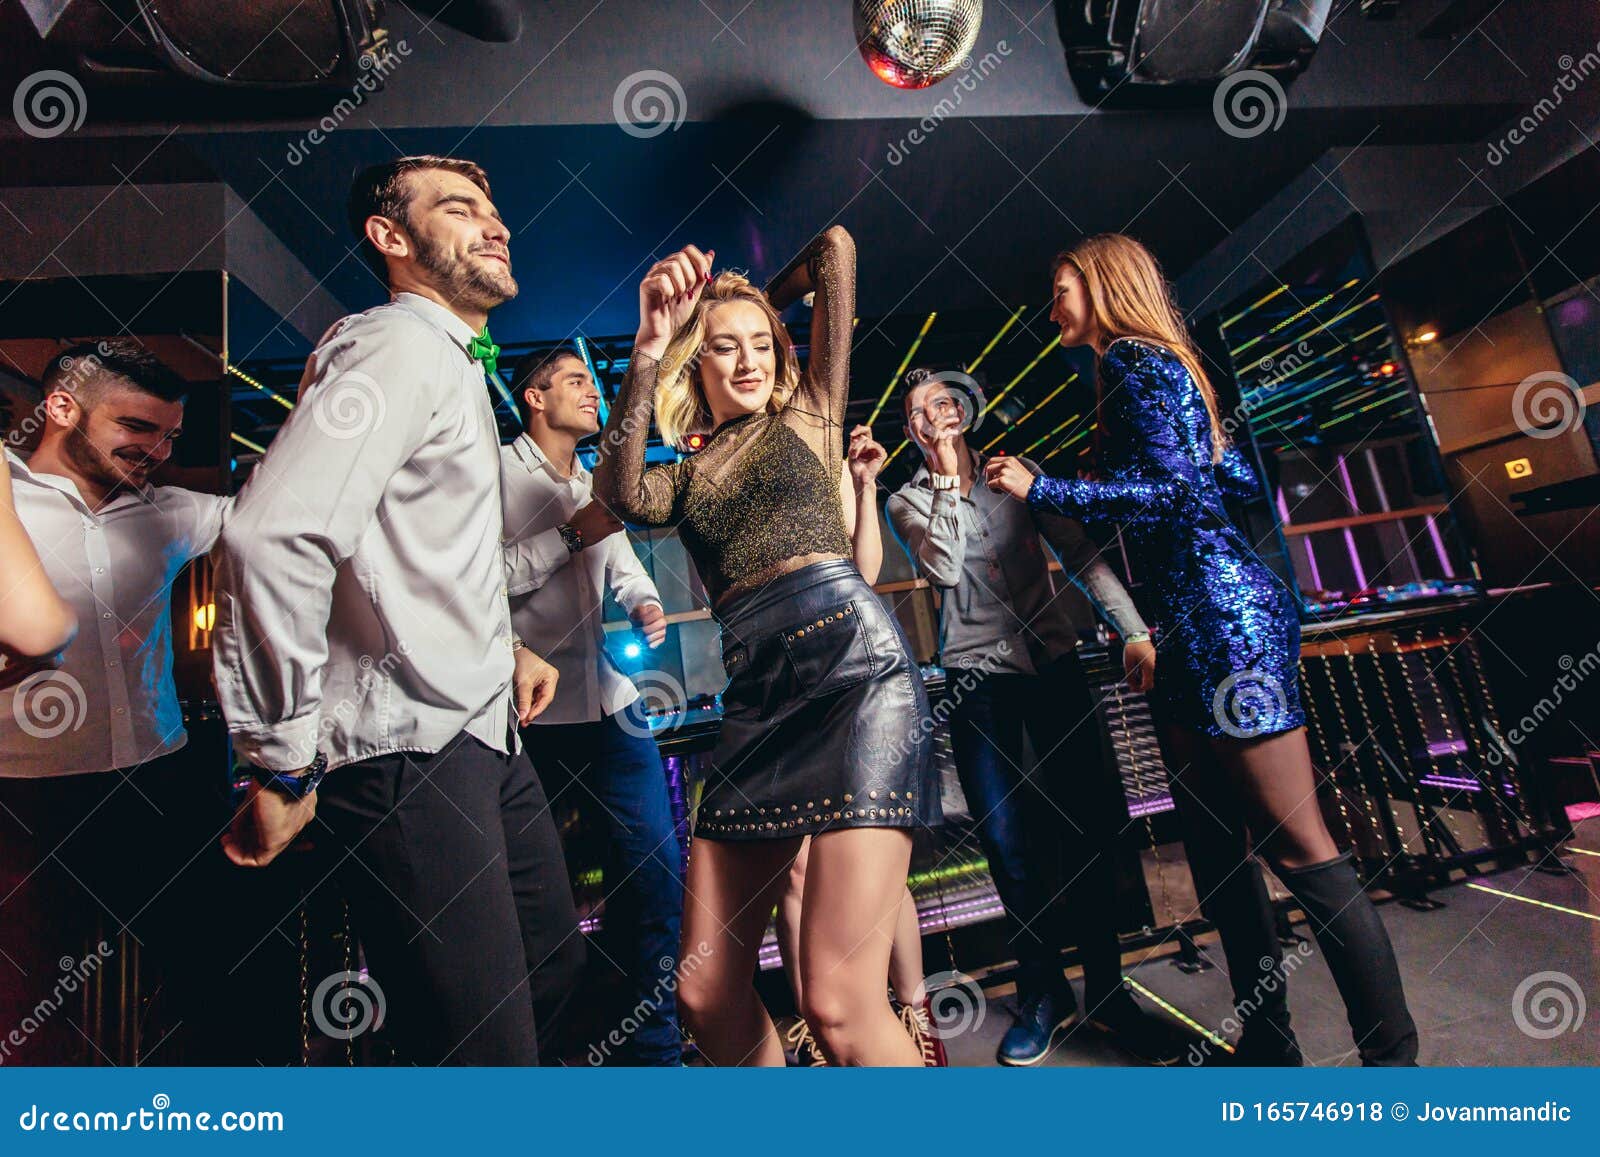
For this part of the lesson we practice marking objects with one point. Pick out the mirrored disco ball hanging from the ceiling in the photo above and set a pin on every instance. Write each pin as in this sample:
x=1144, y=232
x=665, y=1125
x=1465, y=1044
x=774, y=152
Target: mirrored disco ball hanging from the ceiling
x=914, y=44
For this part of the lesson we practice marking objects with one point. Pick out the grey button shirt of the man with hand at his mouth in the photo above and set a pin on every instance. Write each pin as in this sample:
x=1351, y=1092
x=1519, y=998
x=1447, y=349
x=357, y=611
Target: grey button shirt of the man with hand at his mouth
x=985, y=553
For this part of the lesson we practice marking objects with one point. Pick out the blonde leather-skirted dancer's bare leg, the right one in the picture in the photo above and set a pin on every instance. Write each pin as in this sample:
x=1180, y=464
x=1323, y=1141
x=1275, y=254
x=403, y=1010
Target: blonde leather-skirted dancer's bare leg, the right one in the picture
x=855, y=884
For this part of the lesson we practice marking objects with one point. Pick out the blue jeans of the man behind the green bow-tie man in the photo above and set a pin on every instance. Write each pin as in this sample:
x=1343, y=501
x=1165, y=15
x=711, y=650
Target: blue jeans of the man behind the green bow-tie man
x=612, y=769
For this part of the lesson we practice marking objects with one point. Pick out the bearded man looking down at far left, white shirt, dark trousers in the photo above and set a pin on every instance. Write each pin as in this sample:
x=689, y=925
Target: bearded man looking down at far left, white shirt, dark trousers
x=106, y=822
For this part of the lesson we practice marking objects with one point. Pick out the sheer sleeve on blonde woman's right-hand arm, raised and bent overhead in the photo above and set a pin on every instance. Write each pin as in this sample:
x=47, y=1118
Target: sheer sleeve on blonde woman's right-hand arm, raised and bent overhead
x=826, y=266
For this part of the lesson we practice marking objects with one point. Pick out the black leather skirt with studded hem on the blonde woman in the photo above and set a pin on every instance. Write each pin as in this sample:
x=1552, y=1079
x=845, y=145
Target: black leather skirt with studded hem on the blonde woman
x=826, y=721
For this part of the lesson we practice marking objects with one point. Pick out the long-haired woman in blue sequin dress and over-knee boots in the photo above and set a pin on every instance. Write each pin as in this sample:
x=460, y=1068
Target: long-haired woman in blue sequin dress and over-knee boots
x=1226, y=695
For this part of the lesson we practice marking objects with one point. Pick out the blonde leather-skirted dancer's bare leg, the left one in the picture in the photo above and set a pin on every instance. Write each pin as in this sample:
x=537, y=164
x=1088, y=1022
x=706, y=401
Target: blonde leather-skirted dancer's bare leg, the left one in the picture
x=729, y=895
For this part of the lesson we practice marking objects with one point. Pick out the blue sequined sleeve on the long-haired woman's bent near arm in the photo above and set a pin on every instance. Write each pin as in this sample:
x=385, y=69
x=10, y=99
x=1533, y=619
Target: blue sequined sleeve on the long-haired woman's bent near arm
x=1159, y=481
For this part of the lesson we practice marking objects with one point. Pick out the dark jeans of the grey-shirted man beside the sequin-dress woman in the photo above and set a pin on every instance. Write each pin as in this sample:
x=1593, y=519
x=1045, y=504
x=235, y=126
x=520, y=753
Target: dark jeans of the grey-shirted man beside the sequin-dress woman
x=1050, y=835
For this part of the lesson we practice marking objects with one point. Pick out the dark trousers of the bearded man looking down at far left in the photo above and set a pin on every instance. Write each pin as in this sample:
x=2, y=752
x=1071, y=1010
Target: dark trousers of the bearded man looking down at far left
x=82, y=860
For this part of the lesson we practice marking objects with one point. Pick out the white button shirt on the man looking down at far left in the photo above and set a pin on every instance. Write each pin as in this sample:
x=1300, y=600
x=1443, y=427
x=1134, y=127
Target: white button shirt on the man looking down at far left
x=113, y=702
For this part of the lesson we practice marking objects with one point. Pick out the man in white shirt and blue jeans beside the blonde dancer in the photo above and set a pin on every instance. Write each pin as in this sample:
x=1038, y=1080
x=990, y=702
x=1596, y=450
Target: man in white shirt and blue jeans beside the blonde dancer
x=593, y=743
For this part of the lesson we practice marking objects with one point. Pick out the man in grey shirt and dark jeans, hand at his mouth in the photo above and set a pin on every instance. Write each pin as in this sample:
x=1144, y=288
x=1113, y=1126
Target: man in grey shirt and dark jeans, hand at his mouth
x=1049, y=835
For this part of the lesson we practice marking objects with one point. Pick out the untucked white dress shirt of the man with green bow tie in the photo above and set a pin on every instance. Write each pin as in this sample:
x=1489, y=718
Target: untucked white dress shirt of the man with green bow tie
x=362, y=582
